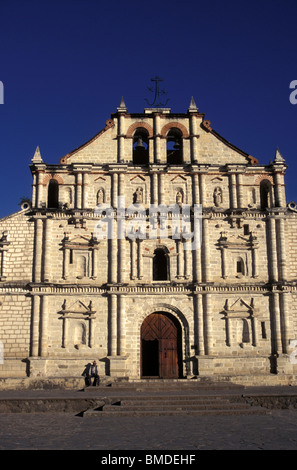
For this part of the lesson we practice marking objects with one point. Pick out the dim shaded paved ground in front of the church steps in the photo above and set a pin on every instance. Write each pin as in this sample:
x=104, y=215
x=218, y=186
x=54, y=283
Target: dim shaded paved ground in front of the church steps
x=276, y=431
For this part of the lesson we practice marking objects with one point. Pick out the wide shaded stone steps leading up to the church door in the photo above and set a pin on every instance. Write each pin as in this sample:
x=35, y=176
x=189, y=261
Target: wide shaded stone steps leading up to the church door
x=162, y=398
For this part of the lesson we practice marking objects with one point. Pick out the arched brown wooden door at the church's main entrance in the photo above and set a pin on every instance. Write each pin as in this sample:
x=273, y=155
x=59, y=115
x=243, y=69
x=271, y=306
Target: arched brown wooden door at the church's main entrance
x=161, y=350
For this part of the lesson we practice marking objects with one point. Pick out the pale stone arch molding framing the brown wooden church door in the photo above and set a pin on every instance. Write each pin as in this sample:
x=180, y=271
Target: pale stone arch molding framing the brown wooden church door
x=181, y=318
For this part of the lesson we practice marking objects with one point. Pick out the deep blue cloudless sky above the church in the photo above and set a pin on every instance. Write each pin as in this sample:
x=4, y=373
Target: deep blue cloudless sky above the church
x=65, y=64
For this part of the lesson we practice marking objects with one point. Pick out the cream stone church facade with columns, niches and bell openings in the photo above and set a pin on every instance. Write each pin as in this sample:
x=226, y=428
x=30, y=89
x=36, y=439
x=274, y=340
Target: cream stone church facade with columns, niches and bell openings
x=158, y=249
